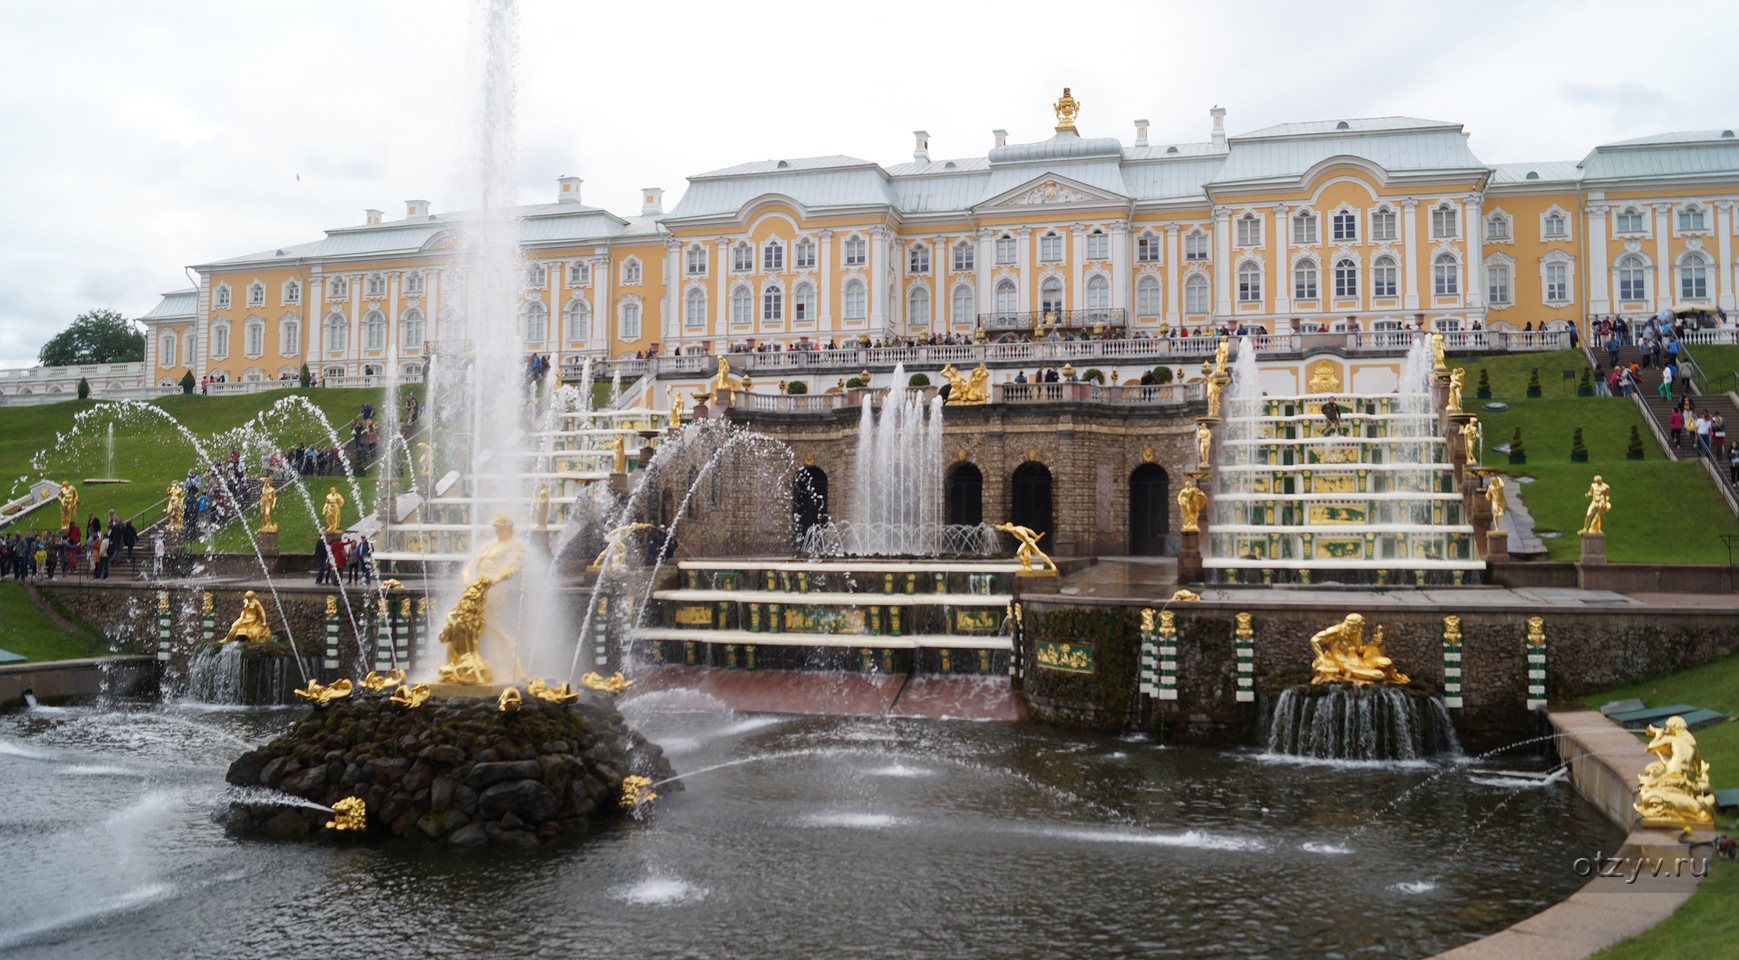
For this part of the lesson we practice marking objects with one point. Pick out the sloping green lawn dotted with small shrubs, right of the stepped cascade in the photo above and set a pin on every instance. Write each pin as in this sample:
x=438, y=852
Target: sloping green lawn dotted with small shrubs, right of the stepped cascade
x=1662, y=512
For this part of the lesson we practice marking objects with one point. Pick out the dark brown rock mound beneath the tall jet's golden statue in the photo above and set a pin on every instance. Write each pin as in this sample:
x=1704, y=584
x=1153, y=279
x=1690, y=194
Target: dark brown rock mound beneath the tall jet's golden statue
x=453, y=771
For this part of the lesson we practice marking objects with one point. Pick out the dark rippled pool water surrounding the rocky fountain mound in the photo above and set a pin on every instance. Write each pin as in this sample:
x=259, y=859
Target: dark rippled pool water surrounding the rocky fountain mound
x=855, y=837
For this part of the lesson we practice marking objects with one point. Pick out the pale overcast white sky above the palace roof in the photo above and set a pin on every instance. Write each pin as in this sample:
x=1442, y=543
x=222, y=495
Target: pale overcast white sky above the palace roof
x=147, y=137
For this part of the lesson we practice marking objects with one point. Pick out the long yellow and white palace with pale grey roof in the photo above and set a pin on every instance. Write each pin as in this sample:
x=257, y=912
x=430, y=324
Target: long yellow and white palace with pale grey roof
x=1371, y=225
